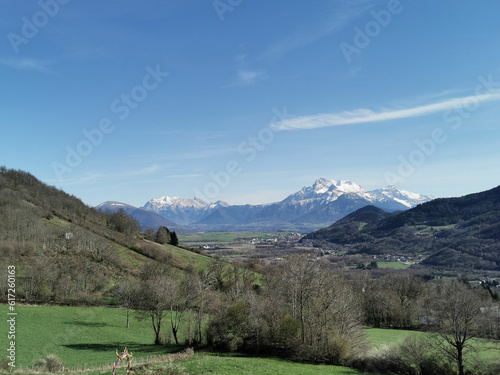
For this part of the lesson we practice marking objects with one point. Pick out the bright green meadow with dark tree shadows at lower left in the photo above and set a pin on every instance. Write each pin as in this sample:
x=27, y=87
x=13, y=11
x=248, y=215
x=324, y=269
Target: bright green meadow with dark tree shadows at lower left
x=80, y=335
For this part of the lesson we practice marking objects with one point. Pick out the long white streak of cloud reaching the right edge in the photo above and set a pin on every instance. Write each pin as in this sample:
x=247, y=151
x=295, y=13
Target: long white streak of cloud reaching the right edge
x=362, y=115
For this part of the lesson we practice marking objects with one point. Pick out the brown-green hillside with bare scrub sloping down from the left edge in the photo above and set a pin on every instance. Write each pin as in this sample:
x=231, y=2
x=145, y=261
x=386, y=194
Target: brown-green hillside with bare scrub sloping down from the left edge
x=68, y=252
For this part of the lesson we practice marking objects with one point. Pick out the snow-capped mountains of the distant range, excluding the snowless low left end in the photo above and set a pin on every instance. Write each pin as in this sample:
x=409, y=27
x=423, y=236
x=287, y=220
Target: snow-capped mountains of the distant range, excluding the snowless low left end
x=312, y=204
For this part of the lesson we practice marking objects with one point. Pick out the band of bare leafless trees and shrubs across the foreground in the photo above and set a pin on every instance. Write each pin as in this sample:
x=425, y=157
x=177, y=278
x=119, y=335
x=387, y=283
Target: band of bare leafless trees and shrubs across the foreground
x=303, y=310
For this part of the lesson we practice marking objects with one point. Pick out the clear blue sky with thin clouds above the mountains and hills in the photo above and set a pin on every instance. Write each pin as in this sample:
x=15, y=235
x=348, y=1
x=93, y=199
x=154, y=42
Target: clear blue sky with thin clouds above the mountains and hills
x=248, y=101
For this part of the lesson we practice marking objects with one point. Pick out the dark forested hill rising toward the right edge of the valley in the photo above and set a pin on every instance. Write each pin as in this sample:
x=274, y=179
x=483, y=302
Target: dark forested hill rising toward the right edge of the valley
x=461, y=232
